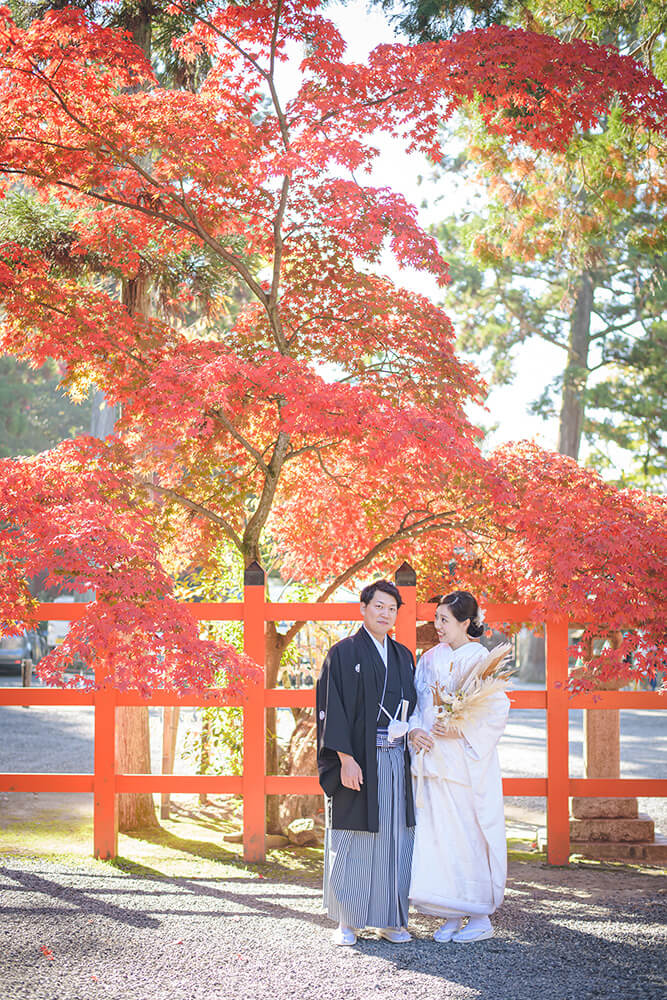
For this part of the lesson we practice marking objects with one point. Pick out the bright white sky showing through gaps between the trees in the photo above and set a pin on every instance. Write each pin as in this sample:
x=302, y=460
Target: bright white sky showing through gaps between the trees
x=536, y=362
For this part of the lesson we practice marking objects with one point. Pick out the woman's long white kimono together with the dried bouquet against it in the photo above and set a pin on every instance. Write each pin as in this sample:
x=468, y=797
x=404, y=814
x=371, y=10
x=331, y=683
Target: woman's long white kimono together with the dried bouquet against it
x=460, y=856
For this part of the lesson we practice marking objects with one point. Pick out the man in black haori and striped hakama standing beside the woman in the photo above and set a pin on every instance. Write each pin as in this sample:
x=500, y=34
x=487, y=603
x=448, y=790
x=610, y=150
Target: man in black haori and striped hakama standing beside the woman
x=364, y=695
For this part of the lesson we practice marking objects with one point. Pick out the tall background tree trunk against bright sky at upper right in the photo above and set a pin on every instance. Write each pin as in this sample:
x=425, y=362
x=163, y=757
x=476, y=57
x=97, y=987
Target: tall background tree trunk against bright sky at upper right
x=576, y=371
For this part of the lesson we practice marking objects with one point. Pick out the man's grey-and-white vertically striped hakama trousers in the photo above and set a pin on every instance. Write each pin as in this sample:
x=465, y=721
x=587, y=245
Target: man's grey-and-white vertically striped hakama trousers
x=367, y=875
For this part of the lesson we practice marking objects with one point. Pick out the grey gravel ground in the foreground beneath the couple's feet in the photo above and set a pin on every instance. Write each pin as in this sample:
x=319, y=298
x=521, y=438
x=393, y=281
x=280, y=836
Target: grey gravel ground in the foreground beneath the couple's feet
x=562, y=934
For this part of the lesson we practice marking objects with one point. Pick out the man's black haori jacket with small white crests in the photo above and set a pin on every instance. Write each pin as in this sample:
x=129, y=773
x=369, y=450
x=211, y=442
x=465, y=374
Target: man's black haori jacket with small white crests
x=347, y=707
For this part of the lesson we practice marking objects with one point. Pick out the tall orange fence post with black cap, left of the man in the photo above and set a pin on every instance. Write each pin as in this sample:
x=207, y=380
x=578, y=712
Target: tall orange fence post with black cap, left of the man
x=254, y=728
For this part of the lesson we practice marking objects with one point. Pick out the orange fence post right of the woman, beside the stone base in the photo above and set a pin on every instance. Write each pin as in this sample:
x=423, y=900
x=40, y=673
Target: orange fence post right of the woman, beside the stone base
x=558, y=746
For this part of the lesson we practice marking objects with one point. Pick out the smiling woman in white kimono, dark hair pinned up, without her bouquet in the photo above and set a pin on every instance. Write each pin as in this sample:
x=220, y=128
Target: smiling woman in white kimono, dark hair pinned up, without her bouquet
x=459, y=862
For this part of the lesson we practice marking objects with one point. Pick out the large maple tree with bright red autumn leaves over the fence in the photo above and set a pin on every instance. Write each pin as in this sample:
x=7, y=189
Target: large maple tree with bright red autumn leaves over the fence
x=329, y=421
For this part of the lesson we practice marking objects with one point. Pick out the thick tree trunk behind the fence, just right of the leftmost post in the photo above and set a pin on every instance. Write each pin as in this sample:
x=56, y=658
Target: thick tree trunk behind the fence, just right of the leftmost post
x=133, y=756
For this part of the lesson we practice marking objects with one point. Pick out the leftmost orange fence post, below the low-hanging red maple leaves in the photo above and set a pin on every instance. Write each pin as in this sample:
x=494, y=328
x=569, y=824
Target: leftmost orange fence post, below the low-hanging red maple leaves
x=105, y=810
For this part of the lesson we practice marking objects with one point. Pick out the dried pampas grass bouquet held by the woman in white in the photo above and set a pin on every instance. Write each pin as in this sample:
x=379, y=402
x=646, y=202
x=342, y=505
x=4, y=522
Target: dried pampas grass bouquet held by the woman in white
x=469, y=703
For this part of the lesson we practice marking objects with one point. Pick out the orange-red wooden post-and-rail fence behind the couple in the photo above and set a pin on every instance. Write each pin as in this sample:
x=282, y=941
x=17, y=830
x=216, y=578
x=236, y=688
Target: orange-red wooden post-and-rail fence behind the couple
x=254, y=784
